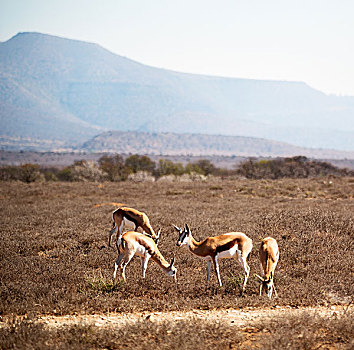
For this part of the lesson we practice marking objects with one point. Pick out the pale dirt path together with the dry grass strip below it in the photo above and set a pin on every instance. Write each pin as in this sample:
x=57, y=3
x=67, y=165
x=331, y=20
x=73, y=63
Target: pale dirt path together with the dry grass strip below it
x=248, y=328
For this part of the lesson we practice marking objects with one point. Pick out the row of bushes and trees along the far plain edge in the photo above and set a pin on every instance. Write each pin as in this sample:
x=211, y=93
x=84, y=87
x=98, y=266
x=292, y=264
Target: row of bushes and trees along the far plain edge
x=116, y=168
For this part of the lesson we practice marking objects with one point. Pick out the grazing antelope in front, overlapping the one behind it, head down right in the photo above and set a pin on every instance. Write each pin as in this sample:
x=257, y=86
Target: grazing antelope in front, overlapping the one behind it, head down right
x=135, y=243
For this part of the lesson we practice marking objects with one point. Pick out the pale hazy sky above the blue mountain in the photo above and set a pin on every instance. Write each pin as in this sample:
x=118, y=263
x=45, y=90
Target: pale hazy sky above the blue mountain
x=302, y=40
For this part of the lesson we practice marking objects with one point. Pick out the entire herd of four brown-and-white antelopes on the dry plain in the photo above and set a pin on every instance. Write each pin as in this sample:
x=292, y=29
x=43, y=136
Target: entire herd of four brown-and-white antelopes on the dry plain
x=211, y=249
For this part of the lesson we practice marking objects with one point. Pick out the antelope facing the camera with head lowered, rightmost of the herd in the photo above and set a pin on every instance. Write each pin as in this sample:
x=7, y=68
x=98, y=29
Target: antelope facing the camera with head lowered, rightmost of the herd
x=269, y=256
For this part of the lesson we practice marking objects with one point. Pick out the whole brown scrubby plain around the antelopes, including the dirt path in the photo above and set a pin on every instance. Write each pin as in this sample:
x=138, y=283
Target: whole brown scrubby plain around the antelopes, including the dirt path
x=56, y=265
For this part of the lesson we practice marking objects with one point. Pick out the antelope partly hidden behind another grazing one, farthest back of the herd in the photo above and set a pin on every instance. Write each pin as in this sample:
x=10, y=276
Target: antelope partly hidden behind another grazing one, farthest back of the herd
x=139, y=219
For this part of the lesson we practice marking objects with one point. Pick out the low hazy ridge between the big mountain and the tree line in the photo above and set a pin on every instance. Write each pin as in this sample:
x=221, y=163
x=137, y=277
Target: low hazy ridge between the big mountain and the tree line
x=199, y=145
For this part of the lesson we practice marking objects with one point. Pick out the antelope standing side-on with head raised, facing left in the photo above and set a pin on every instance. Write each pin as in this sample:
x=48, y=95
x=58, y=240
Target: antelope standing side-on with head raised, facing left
x=228, y=245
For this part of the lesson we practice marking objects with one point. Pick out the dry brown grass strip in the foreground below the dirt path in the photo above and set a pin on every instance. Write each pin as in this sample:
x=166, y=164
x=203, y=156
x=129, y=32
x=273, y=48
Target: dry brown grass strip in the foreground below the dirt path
x=295, y=332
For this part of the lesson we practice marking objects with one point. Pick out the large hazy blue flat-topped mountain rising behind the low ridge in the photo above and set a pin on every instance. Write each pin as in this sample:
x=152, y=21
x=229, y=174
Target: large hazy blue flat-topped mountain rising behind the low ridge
x=62, y=91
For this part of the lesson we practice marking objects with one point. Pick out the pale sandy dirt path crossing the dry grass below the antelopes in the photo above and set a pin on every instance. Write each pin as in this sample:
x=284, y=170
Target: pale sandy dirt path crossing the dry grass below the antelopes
x=239, y=318
